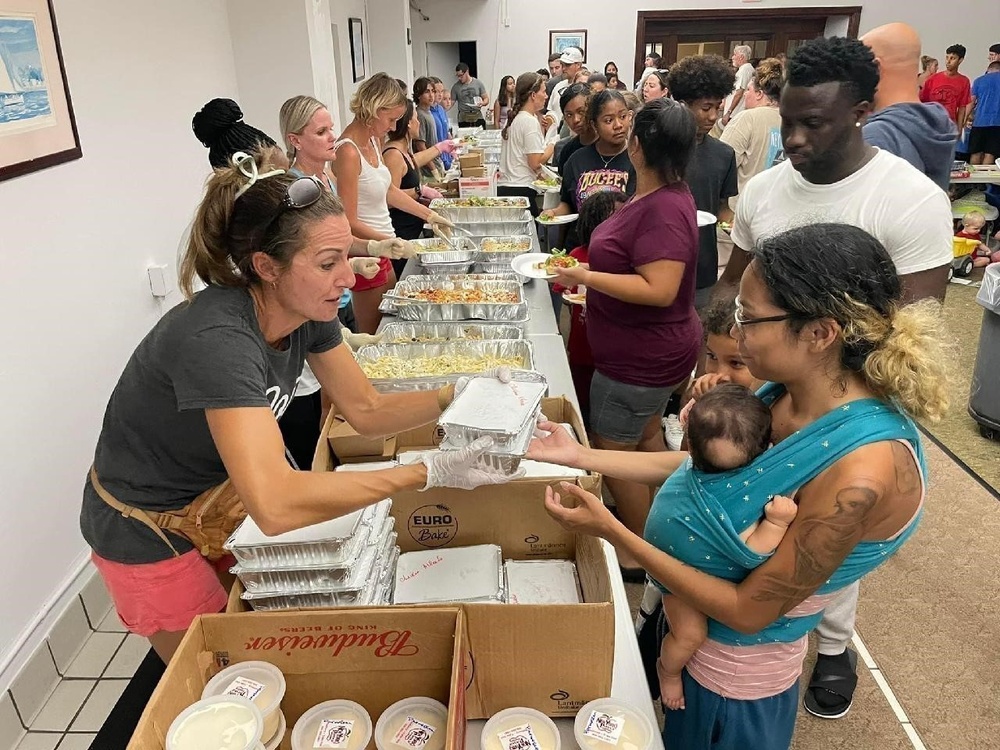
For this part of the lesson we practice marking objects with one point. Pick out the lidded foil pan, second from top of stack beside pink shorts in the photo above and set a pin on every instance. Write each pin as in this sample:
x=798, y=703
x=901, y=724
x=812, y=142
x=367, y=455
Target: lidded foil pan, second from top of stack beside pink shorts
x=319, y=578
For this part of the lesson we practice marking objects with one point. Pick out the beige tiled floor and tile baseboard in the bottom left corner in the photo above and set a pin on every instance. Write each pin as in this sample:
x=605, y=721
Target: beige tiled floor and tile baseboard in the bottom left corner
x=61, y=699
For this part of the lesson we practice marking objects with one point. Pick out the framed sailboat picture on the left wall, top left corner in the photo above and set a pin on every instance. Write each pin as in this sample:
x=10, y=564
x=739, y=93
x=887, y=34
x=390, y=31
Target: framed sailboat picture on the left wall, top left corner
x=37, y=125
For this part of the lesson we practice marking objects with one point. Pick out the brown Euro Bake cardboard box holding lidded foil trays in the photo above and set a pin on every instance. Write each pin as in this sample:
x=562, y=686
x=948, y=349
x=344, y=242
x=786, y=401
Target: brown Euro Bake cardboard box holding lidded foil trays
x=553, y=658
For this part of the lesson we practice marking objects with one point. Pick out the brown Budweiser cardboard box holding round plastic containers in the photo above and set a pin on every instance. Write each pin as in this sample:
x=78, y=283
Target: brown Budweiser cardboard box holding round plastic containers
x=373, y=656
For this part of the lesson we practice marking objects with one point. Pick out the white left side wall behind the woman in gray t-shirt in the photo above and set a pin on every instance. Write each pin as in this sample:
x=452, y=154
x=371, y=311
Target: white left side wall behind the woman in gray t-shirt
x=76, y=241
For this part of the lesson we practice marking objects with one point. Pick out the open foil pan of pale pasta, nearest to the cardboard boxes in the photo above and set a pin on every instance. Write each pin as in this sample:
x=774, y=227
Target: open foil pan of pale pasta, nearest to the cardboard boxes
x=418, y=367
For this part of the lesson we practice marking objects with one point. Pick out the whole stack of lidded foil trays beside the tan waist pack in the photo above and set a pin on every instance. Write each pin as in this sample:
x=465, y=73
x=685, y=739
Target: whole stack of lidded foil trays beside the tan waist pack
x=349, y=561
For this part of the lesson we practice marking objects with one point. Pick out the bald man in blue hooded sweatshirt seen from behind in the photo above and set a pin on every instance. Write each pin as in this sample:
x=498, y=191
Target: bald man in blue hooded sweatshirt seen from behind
x=922, y=134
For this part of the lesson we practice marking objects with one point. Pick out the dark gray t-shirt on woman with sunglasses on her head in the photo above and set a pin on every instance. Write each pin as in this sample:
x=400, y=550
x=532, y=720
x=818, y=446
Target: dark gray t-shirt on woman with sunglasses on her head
x=155, y=450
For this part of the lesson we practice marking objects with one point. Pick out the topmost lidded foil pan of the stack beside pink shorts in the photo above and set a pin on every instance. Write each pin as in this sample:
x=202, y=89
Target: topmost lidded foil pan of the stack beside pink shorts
x=330, y=543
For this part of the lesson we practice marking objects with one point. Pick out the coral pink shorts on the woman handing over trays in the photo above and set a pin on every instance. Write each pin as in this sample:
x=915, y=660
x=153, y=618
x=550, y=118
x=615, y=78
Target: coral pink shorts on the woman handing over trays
x=165, y=595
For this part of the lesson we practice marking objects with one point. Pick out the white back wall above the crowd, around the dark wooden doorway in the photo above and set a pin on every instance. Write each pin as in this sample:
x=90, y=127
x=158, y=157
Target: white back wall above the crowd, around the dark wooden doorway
x=523, y=45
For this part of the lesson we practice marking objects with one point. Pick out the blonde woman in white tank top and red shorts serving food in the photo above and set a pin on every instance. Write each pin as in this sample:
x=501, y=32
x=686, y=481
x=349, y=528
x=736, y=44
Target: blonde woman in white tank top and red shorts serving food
x=364, y=184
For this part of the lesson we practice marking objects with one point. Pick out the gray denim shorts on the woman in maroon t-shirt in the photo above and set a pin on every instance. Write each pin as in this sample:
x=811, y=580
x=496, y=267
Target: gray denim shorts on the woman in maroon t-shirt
x=619, y=411
